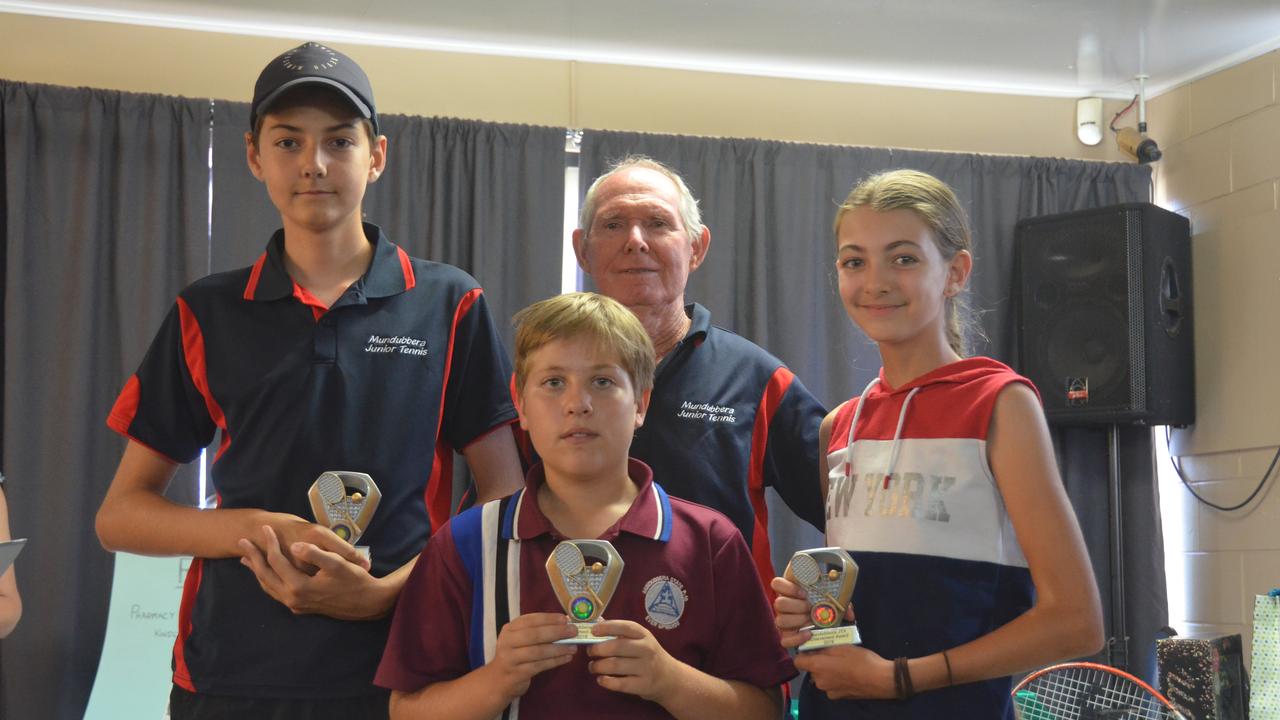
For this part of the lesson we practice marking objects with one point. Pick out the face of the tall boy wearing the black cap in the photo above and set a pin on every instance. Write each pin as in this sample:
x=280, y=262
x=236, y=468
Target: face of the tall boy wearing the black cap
x=317, y=163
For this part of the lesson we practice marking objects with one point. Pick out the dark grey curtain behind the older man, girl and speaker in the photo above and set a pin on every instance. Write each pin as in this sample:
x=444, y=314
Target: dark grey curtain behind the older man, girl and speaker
x=771, y=279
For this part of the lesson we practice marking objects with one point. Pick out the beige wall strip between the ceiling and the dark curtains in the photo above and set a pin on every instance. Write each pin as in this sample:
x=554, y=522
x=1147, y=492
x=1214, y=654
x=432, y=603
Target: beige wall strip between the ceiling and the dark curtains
x=556, y=93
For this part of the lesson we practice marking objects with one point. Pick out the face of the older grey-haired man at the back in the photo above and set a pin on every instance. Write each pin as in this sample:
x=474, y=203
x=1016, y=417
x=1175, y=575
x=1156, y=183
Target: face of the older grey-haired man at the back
x=638, y=250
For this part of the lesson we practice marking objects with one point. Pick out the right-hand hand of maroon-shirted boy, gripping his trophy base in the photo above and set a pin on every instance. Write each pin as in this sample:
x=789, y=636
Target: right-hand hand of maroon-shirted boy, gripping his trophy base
x=634, y=663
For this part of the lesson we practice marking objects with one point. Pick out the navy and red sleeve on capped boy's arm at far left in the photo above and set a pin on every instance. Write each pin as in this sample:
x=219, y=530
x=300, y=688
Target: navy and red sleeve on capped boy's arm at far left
x=161, y=405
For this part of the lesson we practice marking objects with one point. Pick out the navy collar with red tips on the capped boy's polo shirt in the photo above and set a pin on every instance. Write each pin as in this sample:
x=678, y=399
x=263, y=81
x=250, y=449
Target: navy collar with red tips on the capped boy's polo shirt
x=390, y=272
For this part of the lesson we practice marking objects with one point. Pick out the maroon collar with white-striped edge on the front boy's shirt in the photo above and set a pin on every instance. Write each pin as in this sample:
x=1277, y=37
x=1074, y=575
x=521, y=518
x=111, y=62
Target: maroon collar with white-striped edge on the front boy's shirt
x=650, y=516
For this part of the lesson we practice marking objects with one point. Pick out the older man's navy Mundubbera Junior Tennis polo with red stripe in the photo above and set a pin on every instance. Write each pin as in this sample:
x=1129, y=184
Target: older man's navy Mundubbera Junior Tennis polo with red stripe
x=725, y=422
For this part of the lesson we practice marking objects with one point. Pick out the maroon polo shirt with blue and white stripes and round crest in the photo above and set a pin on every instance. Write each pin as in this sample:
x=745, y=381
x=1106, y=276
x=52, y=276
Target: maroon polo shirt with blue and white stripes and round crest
x=688, y=580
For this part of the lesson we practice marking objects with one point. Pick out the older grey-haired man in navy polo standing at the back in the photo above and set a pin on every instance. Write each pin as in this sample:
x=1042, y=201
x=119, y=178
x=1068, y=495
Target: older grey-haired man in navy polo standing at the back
x=726, y=420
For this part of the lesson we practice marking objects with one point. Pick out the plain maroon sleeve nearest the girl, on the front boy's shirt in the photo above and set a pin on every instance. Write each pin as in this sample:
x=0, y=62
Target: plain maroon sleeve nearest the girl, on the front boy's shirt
x=748, y=646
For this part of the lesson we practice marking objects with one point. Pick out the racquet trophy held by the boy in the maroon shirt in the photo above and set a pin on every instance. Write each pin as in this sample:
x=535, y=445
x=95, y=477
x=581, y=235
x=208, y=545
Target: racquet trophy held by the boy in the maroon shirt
x=584, y=576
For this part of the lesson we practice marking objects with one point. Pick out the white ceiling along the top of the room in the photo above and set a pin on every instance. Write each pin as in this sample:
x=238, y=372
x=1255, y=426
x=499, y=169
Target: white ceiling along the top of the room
x=1058, y=48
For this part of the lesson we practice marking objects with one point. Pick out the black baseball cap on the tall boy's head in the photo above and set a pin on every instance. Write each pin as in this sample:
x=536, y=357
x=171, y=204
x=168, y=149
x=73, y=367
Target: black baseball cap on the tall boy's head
x=314, y=63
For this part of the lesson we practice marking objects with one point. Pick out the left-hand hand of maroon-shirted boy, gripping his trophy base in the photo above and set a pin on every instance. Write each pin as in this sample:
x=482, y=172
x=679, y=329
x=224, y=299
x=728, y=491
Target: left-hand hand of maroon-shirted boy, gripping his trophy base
x=525, y=650
